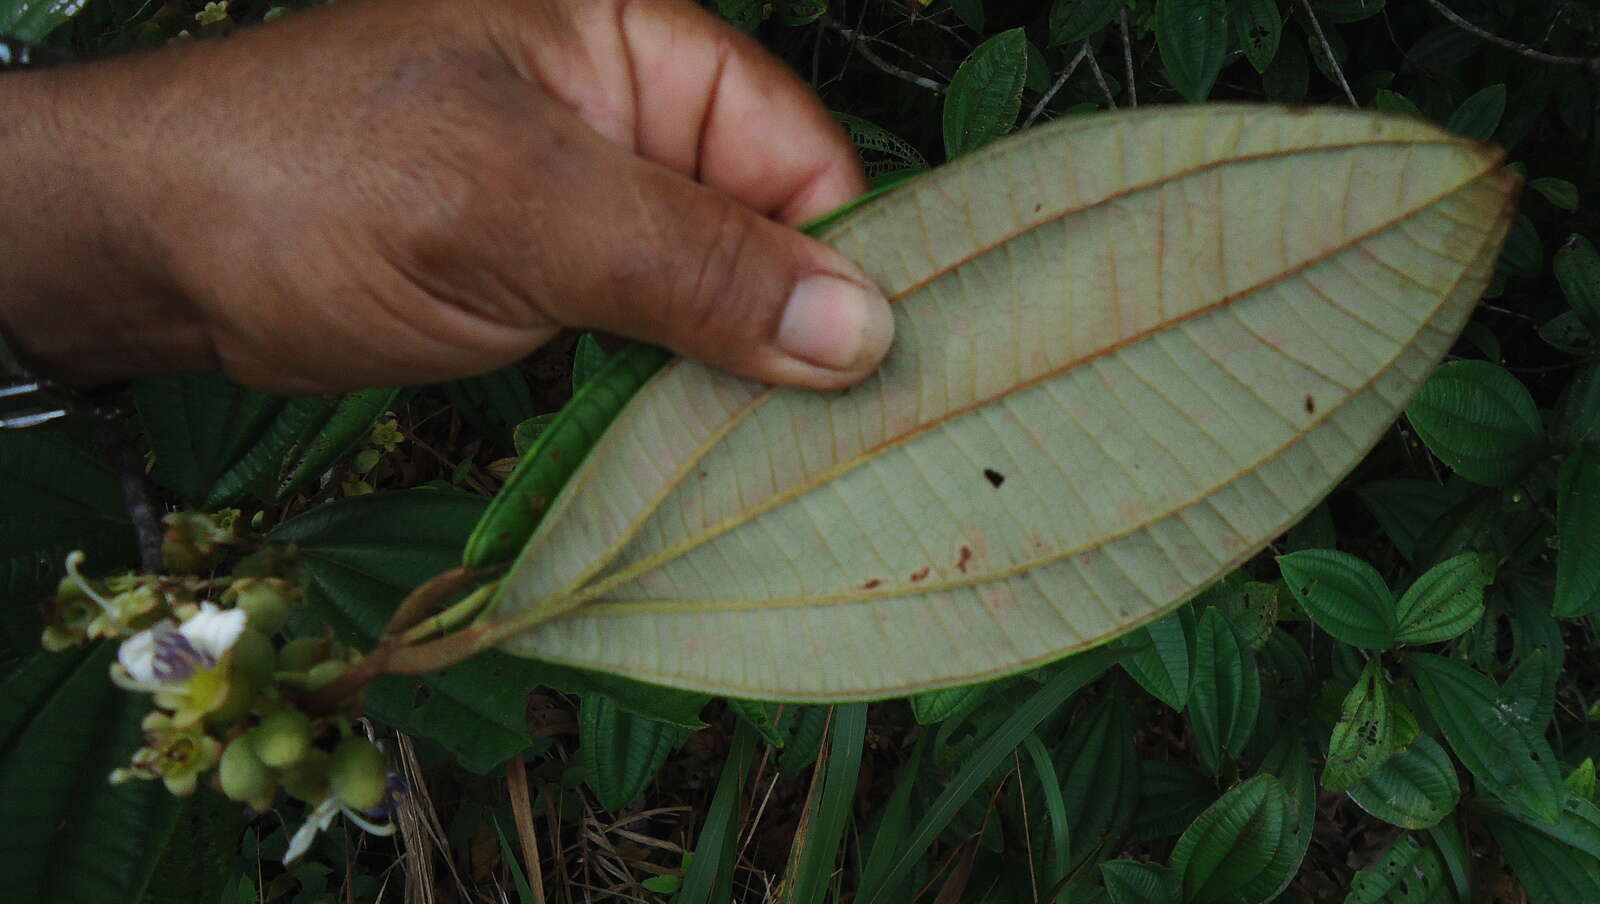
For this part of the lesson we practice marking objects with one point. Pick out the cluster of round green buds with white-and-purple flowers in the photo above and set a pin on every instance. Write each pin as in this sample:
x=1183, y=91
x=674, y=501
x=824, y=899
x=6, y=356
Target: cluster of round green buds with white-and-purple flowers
x=226, y=682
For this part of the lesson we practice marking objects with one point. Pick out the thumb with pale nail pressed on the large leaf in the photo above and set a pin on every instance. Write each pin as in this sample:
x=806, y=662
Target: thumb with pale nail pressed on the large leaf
x=713, y=281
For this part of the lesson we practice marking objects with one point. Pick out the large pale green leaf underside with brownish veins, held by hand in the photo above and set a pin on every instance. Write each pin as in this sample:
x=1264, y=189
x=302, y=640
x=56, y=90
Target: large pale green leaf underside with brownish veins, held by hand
x=1113, y=383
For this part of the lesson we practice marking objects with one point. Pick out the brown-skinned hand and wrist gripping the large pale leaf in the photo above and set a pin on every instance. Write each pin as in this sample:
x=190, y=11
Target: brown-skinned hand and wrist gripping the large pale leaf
x=380, y=194
